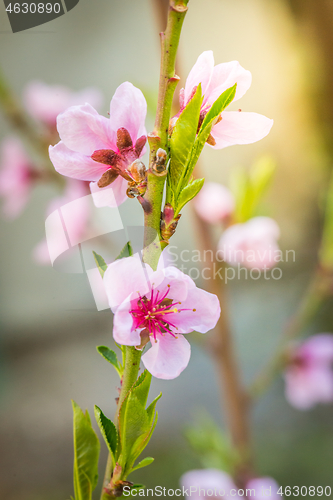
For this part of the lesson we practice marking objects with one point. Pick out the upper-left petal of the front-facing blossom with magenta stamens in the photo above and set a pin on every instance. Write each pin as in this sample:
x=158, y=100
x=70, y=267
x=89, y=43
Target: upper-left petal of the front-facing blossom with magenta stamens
x=123, y=277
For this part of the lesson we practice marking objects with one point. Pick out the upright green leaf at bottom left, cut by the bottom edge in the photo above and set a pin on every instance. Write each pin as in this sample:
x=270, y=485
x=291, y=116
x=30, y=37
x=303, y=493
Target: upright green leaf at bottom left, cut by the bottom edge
x=86, y=453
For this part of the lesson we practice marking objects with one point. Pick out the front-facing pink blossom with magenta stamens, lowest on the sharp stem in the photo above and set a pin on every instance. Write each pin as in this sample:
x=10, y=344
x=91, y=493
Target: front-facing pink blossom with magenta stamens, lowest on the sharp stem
x=159, y=306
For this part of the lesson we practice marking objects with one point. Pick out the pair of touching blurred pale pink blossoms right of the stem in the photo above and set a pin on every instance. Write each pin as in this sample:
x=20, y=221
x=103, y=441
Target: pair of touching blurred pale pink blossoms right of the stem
x=252, y=243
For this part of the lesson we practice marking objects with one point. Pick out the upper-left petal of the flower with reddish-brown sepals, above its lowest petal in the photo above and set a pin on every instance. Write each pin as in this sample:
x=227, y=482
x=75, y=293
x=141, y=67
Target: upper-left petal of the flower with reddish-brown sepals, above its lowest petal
x=83, y=130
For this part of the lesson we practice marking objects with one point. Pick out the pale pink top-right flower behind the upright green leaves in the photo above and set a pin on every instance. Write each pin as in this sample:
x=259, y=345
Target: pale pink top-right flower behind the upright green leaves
x=235, y=127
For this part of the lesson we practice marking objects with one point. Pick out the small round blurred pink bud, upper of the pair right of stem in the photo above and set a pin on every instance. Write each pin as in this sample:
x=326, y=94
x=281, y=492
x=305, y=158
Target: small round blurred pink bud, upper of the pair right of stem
x=214, y=203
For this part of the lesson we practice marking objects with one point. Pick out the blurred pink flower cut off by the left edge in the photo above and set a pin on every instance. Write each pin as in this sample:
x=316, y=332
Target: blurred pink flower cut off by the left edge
x=16, y=176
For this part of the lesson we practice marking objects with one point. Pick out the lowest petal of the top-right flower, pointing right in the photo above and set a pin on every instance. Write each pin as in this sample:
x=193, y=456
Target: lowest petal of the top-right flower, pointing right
x=238, y=127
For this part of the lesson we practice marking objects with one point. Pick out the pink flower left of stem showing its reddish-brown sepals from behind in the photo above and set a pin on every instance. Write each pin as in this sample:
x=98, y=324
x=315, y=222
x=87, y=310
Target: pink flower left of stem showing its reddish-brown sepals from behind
x=103, y=150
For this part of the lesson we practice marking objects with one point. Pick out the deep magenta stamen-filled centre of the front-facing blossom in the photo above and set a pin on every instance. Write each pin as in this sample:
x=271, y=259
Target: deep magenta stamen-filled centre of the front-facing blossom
x=153, y=313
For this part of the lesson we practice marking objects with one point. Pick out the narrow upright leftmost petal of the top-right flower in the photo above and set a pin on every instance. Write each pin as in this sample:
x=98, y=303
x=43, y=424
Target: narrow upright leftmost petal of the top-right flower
x=200, y=73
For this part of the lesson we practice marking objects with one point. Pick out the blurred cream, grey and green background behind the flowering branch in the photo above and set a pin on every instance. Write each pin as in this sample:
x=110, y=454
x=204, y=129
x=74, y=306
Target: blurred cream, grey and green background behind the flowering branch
x=49, y=322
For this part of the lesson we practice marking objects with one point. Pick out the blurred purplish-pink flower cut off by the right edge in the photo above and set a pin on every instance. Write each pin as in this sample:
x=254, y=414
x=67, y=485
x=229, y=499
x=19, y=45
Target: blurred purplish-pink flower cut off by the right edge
x=309, y=376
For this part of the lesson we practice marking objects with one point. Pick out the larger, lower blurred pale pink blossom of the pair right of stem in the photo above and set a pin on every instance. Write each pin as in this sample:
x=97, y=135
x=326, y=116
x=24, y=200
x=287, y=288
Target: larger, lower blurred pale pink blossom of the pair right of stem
x=253, y=243
